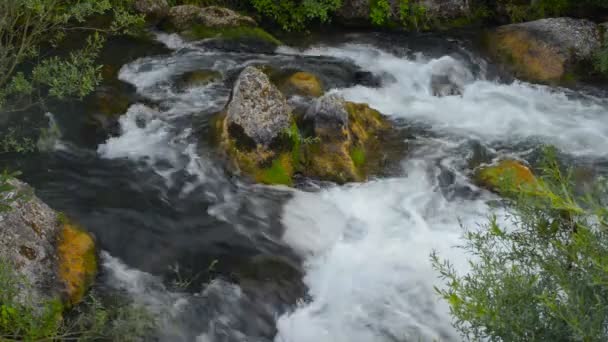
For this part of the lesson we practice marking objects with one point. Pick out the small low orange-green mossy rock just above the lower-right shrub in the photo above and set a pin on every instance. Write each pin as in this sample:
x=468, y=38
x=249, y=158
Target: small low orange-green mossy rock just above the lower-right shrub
x=506, y=172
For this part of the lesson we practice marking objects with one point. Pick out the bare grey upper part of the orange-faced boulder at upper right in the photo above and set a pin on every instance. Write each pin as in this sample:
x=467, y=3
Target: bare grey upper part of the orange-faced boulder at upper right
x=572, y=38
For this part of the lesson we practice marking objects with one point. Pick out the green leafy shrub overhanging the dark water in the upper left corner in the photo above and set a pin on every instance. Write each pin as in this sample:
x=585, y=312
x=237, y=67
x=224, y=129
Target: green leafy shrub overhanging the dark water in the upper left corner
x=28, y=27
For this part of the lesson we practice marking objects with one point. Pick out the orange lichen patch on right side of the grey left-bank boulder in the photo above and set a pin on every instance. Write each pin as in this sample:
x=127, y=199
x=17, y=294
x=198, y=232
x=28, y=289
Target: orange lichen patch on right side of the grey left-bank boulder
x=77, y=261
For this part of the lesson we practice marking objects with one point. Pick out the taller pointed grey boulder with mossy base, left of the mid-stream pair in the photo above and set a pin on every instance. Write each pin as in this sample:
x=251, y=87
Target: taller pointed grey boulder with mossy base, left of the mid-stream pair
x=254, y=130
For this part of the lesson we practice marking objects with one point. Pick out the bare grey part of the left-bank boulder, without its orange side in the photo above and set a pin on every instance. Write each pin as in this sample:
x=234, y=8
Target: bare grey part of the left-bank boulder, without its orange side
x=27, y=240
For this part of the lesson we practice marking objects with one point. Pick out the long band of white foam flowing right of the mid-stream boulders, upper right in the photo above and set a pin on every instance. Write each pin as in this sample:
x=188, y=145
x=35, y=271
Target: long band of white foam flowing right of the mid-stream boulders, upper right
x=488, y=111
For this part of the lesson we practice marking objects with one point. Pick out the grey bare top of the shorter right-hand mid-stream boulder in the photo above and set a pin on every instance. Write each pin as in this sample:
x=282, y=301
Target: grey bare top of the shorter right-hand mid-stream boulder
x=328, y=115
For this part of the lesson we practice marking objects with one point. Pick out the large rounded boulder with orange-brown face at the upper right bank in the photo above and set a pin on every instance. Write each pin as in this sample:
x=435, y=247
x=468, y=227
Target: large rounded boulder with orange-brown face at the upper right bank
x=545, y=50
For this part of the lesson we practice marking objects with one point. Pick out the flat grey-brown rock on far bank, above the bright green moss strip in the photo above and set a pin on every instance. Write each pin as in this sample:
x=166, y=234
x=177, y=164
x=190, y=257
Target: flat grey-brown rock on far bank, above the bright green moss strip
x=184, y=17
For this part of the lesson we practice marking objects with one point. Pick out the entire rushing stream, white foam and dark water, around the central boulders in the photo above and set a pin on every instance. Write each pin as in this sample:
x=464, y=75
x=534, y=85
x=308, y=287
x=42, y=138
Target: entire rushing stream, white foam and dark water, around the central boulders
x=219, y=259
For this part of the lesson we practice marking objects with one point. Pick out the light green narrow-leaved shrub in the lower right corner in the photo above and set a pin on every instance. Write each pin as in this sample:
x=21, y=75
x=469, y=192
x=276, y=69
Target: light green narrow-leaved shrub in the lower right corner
x=544, y=278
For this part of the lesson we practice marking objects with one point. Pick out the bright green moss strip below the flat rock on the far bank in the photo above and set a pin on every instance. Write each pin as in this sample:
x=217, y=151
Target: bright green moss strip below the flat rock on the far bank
x=241, y=32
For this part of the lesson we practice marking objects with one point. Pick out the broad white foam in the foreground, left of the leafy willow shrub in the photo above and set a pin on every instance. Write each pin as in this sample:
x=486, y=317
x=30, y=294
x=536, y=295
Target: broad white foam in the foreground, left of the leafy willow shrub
x=367, y=252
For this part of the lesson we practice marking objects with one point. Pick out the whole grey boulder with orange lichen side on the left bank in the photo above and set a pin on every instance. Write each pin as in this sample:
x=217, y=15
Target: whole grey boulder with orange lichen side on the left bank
x=45, y=249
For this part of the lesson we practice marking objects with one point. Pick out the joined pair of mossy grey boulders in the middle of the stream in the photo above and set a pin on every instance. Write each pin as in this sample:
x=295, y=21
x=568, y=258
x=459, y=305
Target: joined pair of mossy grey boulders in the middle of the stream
x=335, y=141
